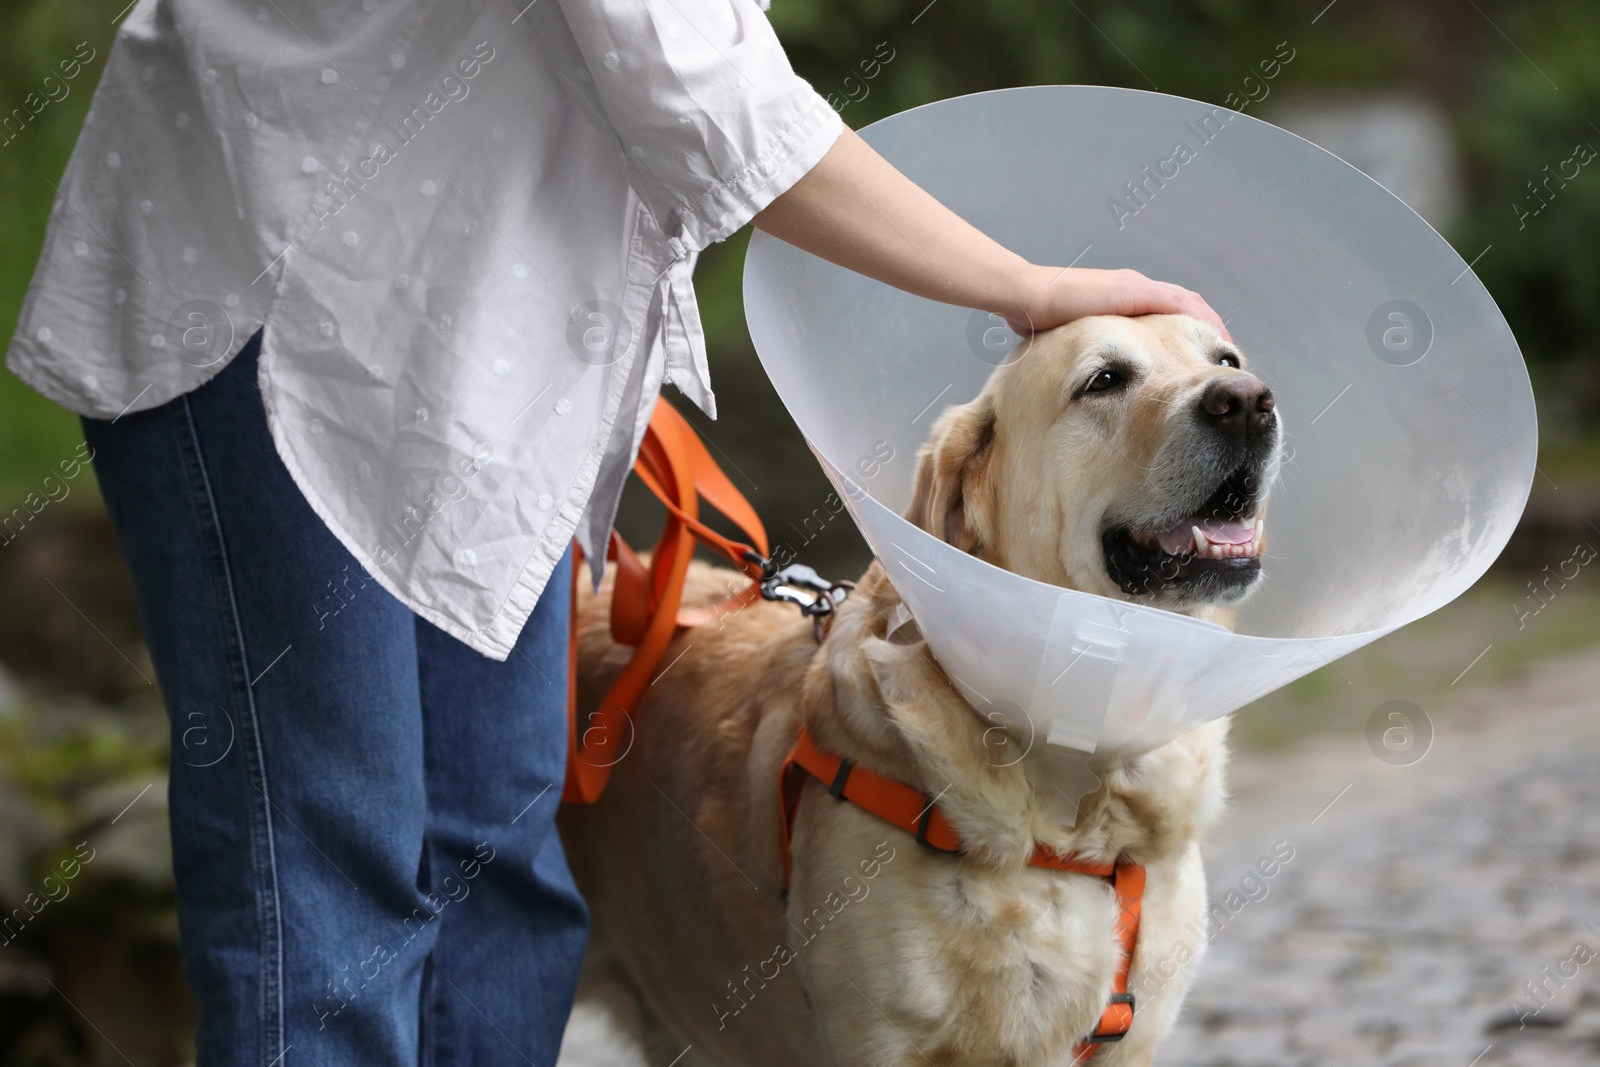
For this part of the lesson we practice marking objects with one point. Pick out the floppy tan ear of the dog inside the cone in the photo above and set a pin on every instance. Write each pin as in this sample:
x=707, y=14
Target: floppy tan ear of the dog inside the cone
x=953, y=498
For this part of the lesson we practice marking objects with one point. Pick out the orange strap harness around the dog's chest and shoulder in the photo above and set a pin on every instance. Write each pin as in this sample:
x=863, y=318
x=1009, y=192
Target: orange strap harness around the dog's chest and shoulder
x=916, y=813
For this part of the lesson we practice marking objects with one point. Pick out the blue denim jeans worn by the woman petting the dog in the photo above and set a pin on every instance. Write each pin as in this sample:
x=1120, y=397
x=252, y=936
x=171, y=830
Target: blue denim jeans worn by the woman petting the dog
x=362, y=807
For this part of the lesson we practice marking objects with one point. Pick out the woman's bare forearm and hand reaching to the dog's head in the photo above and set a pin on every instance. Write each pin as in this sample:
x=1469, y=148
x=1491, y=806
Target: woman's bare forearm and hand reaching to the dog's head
x=857, y=210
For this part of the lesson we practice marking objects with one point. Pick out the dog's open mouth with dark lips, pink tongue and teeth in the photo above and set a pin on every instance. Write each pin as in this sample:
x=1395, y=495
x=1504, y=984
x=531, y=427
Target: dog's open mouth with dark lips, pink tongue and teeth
x=1212, y=554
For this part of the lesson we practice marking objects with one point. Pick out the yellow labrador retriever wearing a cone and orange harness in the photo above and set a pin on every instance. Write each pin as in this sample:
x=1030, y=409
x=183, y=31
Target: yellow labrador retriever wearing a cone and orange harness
x=1122, y=457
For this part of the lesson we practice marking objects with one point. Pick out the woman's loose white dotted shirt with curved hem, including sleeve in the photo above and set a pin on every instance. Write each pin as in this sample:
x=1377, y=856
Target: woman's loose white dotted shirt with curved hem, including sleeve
x=468, y=228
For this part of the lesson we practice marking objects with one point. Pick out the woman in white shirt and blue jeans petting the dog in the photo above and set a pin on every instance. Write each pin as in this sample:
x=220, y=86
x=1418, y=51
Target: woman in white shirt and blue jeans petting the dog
x=366, y=306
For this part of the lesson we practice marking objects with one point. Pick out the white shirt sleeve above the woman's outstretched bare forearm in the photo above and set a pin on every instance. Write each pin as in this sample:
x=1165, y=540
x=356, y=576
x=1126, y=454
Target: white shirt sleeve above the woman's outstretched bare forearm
x=711, y=119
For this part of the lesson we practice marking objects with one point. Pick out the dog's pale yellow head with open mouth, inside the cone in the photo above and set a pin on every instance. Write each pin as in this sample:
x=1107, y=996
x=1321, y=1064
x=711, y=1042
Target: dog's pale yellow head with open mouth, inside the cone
x=1121, y=457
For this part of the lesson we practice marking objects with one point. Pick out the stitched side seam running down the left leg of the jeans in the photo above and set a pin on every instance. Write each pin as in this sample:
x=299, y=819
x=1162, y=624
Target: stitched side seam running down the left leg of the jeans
x=234, y=636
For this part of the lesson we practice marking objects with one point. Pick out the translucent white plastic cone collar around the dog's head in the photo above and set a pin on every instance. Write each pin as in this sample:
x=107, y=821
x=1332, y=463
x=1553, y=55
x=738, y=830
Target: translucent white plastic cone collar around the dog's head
x=1409, y=417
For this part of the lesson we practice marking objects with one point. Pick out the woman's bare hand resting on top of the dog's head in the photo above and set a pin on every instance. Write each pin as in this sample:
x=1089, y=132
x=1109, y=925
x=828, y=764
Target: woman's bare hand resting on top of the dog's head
x=1049, y=297
